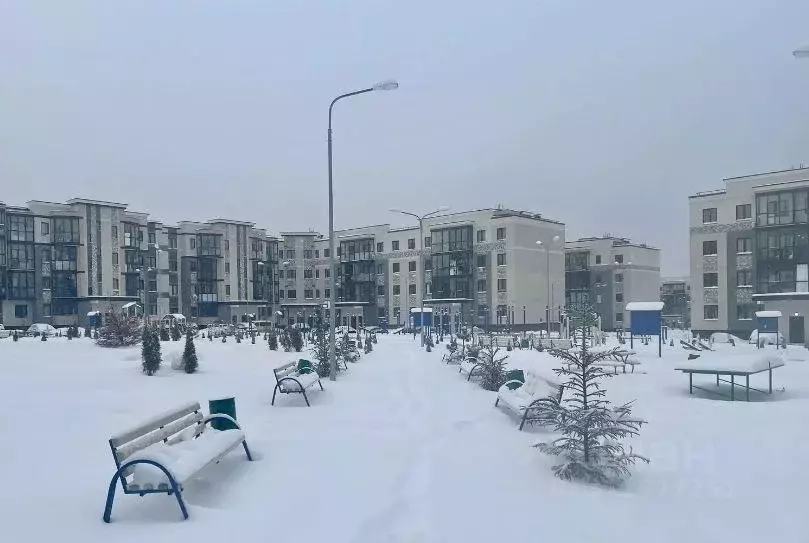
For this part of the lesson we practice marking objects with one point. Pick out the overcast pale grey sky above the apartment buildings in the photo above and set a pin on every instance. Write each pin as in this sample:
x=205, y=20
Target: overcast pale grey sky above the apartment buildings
x=604, y=115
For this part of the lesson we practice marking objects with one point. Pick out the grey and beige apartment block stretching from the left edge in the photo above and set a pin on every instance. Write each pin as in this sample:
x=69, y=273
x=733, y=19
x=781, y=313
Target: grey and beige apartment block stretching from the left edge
x=60, y=262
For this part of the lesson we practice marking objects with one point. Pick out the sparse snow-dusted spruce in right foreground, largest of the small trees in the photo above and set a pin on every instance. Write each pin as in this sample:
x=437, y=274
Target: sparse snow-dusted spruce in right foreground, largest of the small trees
x=591, y=428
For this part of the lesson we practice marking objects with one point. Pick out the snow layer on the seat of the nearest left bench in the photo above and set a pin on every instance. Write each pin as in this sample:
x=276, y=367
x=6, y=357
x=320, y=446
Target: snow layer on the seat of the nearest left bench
x=184, y=459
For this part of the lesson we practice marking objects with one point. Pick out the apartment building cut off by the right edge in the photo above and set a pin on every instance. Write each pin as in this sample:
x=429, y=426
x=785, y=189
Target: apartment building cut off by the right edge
x=749, y=250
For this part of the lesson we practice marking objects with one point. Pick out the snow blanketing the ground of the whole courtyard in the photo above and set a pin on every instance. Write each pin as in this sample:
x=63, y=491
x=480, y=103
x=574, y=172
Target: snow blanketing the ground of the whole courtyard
x=400, y=449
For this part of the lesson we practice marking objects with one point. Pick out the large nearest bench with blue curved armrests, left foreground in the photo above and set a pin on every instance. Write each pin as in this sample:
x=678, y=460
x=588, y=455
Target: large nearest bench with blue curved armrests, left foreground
x=158, y=456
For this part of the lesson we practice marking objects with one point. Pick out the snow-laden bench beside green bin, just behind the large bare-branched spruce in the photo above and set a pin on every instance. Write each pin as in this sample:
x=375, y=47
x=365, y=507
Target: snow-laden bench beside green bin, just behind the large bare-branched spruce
x=531, y=396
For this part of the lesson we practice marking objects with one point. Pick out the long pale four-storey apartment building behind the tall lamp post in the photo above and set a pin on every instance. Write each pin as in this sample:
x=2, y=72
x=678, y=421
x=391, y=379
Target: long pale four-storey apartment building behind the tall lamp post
x=481, y=267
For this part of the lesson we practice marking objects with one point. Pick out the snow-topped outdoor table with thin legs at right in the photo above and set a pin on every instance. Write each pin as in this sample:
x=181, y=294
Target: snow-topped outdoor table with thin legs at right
x=732, y=367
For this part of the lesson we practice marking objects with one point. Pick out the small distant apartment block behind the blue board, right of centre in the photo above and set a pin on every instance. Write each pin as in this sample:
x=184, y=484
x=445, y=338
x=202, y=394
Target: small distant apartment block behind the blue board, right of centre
x=608, y=272
